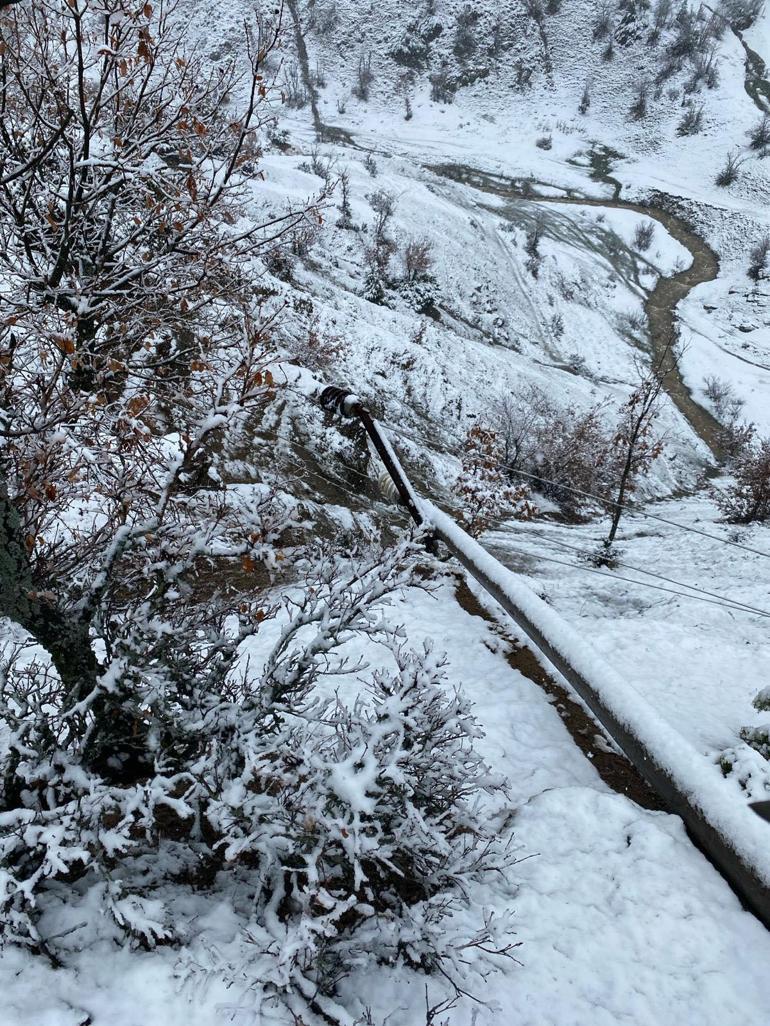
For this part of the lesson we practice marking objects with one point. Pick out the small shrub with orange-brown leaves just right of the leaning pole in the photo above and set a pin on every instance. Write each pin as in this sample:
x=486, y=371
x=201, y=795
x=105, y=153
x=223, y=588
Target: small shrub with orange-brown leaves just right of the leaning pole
x=483, y=488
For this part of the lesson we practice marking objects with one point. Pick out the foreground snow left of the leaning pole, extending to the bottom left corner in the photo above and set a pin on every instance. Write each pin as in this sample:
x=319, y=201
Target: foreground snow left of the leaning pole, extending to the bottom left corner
x=619, y=918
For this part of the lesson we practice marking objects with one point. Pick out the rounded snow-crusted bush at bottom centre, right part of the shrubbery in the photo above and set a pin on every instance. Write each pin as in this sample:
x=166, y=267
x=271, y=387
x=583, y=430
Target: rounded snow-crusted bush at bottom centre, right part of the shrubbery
x=364, y=816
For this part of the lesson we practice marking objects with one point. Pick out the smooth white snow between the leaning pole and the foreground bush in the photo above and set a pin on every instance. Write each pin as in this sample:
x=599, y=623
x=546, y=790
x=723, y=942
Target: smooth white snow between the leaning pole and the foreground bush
x=621, y=920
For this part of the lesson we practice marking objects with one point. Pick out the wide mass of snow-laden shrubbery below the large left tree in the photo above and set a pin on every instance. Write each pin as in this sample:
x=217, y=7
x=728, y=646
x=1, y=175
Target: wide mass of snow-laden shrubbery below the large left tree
x=356, y=823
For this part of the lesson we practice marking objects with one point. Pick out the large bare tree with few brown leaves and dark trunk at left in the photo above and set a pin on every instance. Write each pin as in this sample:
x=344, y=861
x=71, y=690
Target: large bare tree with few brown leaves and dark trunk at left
x=126, y=315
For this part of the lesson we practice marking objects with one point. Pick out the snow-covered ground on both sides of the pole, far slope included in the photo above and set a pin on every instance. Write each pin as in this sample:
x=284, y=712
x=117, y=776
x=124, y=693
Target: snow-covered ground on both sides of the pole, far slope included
x=620, y=918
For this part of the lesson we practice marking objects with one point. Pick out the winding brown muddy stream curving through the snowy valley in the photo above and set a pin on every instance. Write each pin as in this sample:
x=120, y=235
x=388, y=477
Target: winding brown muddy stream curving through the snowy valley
x=661, y=304
